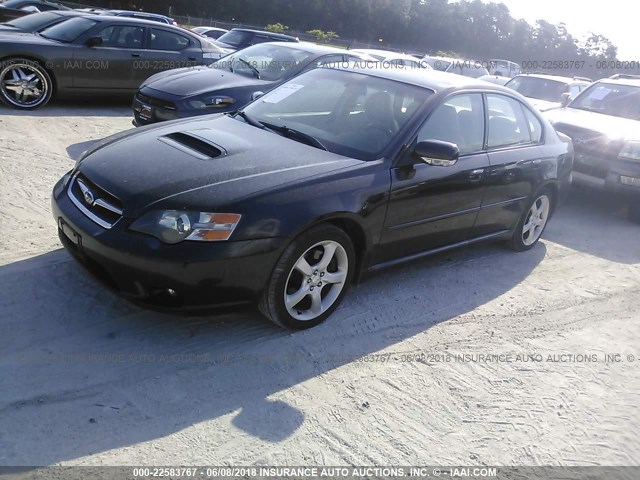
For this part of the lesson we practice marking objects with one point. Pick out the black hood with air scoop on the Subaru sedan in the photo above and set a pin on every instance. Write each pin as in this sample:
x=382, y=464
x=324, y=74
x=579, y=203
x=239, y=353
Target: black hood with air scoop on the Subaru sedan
x=175, y=165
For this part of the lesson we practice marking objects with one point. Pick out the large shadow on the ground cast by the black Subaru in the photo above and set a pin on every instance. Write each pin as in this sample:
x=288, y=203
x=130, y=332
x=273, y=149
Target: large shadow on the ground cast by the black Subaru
x=83, y=371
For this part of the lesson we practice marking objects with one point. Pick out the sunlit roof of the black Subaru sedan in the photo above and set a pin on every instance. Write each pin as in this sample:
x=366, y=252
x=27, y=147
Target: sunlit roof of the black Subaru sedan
x=432, y=79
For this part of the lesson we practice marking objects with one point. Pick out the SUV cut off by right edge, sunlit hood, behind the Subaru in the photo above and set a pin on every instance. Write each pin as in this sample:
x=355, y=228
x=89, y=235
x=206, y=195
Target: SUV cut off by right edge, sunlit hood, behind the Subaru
x=604, y=123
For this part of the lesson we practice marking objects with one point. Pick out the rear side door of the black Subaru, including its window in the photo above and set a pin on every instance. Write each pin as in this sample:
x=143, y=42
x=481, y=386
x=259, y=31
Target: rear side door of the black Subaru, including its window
x=514, y=134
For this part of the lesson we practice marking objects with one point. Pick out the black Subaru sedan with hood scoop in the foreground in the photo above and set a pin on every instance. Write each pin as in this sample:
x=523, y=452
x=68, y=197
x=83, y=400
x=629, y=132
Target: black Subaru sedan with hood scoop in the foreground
x=339, y=172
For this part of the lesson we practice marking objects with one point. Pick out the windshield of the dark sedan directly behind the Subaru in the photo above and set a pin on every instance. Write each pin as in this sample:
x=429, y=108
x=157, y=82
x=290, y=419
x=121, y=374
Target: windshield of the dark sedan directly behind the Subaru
x=266, y=62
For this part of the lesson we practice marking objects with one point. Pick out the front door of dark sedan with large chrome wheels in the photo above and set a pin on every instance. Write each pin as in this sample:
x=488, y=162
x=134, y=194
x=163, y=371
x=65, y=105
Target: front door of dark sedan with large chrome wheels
x=111, y=64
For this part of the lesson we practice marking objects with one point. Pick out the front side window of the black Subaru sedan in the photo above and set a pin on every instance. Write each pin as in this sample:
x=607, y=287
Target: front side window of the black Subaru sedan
x=460, y=120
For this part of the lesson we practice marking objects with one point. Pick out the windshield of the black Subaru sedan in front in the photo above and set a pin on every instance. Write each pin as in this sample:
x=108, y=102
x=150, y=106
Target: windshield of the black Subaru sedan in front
x=349, y=113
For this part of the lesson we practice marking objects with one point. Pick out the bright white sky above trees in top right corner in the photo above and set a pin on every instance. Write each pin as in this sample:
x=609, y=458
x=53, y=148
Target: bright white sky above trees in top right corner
x=617, y=20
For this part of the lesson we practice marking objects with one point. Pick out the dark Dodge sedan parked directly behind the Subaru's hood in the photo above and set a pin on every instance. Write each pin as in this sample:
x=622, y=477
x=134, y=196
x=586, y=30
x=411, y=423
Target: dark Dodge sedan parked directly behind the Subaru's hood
x=230, y=83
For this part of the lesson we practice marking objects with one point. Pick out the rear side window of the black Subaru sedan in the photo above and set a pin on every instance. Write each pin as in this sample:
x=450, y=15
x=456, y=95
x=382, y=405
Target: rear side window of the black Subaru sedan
x=507, y=123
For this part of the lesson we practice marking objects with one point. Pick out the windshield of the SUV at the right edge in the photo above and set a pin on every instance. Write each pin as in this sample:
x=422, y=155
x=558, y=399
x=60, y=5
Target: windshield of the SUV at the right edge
x=610, y=99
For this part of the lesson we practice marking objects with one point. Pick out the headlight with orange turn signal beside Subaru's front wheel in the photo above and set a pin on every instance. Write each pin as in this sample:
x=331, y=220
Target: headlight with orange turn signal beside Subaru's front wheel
x=173, y=226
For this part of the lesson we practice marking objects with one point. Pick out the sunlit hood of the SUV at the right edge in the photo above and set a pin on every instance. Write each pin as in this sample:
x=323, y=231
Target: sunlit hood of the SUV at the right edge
x=568, y=120
